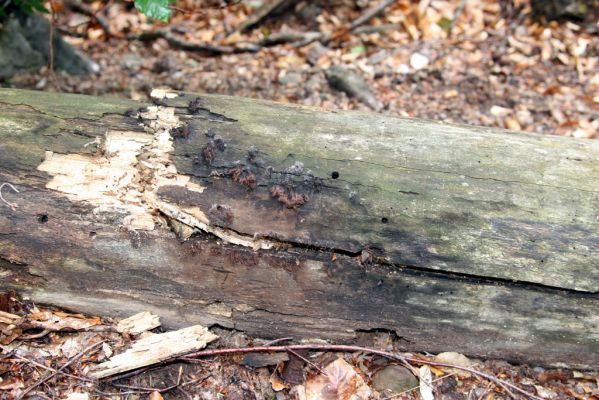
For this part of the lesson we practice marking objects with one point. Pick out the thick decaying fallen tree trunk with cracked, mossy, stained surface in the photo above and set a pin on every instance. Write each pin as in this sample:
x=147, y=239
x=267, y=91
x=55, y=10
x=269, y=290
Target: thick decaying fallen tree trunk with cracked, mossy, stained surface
x=286, y=220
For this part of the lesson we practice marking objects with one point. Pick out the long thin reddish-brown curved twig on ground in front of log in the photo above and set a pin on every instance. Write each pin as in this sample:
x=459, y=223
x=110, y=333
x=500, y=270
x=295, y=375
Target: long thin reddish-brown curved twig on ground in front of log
x=348, y=348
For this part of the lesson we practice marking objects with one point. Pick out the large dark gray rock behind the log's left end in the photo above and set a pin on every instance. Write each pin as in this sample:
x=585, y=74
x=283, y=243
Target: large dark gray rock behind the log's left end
x=24, y=47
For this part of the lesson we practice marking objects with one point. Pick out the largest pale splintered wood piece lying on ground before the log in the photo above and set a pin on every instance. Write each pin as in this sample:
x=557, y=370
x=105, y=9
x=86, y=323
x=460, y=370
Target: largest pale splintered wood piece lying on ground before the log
x=154, y=349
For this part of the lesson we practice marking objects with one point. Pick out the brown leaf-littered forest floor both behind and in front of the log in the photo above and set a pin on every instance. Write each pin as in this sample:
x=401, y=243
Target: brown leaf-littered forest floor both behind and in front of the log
x=479, y=64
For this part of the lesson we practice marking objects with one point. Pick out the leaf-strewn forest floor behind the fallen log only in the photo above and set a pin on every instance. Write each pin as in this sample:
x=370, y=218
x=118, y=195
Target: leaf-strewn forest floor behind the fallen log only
x=498, y=67
